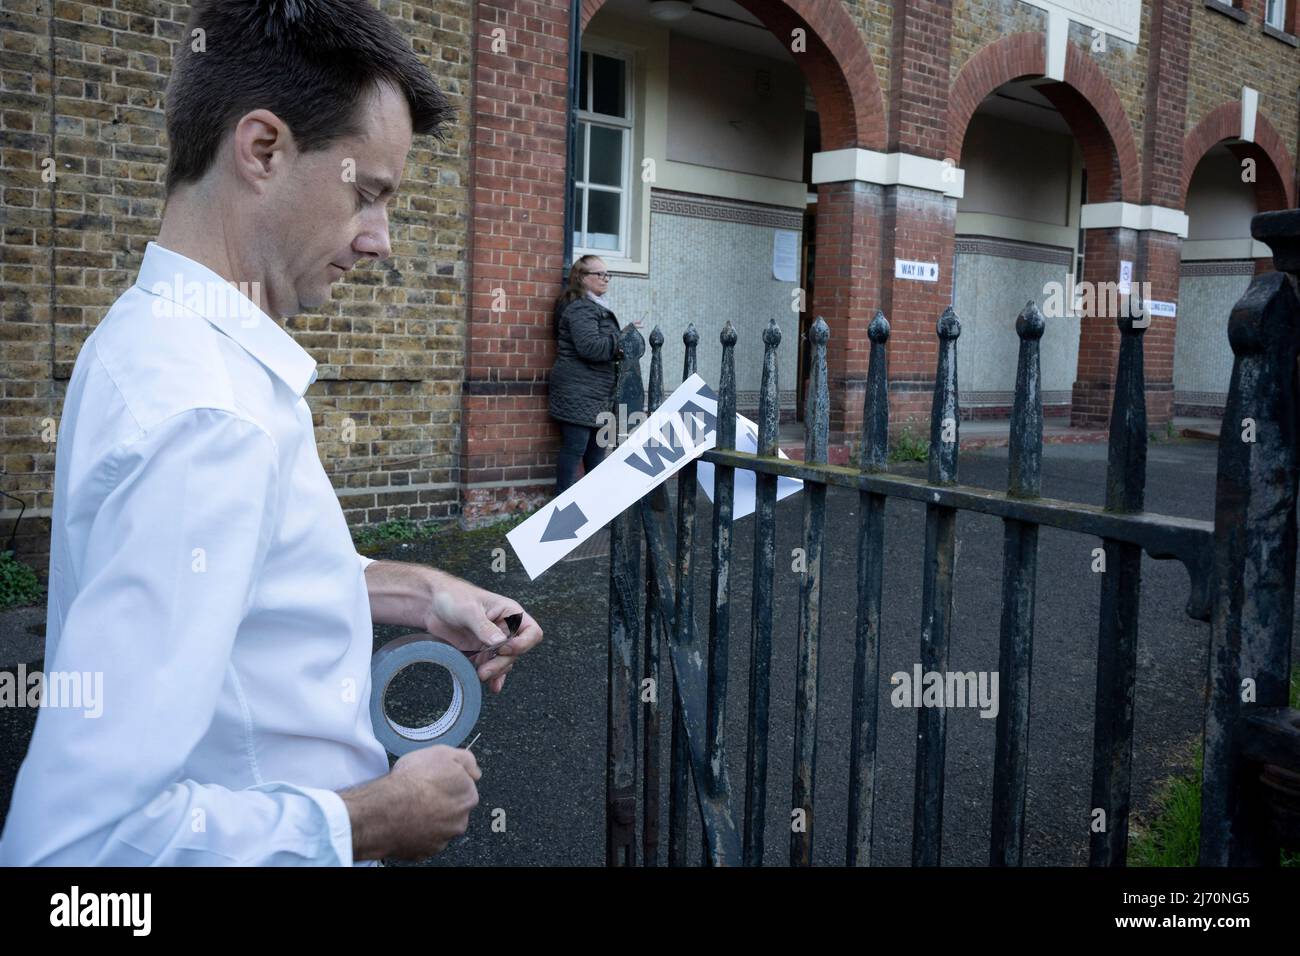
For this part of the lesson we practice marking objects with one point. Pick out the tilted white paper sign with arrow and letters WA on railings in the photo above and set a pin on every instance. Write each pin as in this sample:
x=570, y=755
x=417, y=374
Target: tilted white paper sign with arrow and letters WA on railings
x=679, y=431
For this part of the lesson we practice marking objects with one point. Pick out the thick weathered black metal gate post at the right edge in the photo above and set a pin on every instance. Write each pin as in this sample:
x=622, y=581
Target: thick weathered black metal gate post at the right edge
x=1255, y=551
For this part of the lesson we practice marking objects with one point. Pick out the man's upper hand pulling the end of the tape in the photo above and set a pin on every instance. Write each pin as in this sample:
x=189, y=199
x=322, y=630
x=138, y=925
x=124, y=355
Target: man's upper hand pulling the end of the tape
x=474, y=620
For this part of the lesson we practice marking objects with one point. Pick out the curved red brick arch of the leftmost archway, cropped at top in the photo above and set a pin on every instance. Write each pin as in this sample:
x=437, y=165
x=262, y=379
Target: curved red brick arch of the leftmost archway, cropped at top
x=838, y=66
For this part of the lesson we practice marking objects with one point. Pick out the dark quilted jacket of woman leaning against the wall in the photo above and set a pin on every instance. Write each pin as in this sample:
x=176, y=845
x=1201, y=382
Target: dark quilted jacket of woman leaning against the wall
x=582, y=382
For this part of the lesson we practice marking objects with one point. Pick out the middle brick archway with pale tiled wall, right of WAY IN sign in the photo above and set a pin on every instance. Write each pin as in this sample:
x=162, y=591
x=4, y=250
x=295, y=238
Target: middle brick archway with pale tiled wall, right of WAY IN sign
x=1038, y=155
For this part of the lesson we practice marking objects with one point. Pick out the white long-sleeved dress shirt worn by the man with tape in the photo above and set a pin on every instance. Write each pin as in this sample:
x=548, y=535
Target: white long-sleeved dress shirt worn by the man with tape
x=202, y=564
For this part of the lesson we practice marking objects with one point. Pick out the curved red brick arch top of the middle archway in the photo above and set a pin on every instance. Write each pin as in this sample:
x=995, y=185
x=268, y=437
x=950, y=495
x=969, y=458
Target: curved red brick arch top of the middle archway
x=1086, y=101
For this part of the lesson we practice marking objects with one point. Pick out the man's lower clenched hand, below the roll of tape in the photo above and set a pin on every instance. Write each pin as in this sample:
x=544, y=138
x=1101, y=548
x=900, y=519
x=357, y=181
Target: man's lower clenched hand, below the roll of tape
x=418, y=810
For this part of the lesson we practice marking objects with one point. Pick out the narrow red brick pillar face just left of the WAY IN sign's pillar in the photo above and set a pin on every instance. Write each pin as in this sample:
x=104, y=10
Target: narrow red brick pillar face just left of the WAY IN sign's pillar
x=846, y=295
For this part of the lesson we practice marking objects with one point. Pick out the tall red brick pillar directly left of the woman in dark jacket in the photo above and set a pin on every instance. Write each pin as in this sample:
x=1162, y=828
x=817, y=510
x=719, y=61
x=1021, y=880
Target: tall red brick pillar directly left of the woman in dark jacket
x=518, y=243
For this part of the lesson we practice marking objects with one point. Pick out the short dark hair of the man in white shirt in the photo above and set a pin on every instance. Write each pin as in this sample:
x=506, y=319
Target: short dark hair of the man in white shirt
x=309, y=62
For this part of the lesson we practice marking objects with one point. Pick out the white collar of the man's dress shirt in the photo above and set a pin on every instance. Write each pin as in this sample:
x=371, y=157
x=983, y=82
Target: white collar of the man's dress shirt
x=185, y=287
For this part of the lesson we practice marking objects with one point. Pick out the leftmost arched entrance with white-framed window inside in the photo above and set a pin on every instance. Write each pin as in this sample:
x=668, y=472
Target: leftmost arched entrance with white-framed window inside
x=725, y=110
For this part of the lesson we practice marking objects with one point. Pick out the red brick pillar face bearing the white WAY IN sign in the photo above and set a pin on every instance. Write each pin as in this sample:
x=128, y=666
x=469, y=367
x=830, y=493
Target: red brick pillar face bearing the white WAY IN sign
x=920, y=226
